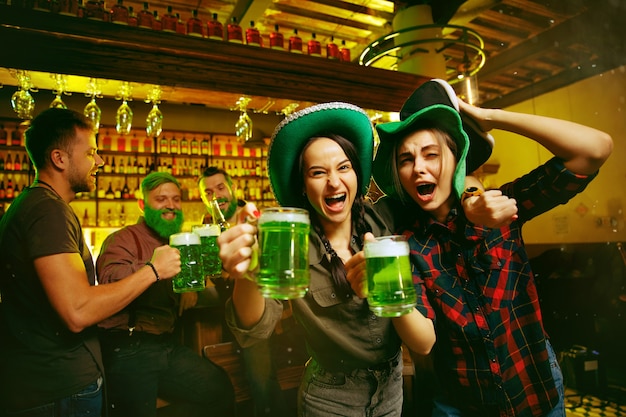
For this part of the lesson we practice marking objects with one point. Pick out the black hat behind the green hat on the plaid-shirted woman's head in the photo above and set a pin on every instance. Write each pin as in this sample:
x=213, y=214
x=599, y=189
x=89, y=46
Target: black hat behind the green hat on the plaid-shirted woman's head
x=437, y=91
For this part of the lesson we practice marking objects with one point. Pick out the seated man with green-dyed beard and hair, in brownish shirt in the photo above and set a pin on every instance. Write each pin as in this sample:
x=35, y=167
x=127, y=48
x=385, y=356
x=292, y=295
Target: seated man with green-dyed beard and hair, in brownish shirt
x=142, y=359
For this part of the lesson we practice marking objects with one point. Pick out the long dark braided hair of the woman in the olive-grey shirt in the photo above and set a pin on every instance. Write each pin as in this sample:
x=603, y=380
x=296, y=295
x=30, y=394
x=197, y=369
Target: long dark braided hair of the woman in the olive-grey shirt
x=359, y=225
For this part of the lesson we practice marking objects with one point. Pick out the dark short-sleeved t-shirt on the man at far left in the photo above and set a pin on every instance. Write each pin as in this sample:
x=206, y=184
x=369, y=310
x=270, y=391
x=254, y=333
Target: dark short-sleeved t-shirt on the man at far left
x=40, y=359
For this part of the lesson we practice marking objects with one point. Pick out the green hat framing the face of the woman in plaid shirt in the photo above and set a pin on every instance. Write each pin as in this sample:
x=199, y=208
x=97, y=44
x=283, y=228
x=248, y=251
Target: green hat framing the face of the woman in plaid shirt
x=438, y=115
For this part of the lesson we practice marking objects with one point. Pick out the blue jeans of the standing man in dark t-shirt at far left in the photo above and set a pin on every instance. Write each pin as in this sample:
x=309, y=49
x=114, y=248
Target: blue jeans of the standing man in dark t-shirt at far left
x=85, y=403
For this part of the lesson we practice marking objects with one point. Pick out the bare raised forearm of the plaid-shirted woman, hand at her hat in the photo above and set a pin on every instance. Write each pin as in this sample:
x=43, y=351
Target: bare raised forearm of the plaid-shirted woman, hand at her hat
x=582, y=148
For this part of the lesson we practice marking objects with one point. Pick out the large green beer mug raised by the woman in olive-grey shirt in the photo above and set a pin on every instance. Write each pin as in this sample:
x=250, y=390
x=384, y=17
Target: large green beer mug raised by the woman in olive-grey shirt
x=283, y=252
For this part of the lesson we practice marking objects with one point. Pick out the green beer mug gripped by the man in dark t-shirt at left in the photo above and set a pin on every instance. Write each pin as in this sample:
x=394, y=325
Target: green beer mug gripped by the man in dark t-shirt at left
x=191, y=276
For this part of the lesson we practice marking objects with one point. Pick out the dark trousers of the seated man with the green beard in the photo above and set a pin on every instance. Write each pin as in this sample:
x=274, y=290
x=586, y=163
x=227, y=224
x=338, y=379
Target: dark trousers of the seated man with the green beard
x=142, y=367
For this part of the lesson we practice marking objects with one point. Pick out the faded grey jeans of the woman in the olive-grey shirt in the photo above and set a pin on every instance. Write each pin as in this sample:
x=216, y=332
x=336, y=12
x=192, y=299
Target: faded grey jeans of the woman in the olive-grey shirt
x=360, y=393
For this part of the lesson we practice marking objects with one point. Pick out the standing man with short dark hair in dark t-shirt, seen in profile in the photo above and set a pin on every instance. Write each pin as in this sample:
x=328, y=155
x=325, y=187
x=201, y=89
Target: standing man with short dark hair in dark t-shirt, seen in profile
x=50, y=359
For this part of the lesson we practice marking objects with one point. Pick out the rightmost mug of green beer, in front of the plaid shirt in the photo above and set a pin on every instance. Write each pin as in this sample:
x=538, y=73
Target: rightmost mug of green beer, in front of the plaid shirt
x=389, y=281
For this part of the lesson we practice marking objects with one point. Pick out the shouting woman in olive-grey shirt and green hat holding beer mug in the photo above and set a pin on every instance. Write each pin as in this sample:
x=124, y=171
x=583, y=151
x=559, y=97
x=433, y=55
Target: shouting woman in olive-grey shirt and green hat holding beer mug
x=320, y=159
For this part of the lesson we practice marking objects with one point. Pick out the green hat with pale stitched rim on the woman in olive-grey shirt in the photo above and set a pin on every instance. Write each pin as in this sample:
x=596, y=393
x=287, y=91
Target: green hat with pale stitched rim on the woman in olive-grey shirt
x=290, y=136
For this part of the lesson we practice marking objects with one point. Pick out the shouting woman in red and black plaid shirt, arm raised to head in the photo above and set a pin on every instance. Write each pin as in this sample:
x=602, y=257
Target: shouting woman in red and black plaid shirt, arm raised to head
x=492, y=356
